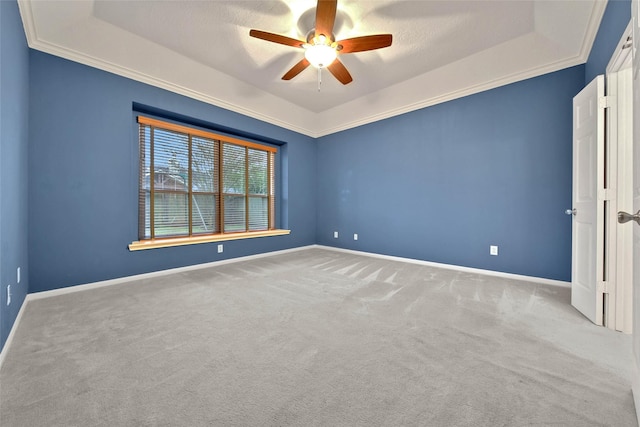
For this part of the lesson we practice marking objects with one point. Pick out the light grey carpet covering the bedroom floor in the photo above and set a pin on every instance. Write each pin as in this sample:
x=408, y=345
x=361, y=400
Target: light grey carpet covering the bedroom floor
x=310, y=338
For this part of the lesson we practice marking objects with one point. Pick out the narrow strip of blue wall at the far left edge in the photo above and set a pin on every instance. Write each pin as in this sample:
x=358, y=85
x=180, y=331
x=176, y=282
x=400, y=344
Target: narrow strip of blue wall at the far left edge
x=14, y=113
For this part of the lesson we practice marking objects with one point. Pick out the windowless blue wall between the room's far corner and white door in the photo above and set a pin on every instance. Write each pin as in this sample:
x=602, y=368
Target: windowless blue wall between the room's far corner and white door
x=444, y=183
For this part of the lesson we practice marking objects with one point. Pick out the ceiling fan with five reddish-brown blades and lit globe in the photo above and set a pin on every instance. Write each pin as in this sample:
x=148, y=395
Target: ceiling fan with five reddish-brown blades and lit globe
x=321, y=48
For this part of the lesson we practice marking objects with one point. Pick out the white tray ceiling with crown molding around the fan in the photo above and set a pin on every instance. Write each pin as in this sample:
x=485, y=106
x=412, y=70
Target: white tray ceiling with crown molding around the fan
x=441, y=50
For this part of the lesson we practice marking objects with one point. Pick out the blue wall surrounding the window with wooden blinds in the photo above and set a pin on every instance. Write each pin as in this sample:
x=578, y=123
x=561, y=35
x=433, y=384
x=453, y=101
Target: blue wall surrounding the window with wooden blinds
x=83, y=170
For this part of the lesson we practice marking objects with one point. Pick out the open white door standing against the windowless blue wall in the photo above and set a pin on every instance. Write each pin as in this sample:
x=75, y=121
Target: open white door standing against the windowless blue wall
x=588, y=225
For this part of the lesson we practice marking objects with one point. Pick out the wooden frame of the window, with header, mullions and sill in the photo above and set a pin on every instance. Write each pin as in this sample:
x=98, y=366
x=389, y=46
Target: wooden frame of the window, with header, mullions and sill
x=220, y=235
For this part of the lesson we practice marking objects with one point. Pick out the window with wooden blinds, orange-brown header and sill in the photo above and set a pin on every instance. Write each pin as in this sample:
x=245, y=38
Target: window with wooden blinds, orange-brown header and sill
x=196, y=187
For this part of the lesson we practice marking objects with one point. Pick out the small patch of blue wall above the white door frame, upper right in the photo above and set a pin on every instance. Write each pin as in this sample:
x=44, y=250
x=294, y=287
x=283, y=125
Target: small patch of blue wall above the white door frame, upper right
x=615, y=20
